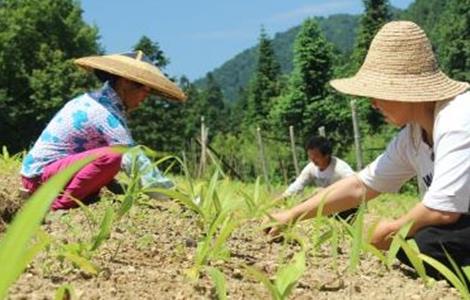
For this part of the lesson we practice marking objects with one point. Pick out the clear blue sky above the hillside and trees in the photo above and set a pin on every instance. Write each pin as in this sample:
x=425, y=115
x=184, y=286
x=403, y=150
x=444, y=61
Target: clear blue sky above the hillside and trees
x=199, y=36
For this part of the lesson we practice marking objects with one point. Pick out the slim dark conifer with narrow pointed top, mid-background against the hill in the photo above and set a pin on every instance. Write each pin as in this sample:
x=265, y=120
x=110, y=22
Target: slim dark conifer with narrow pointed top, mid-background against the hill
x=264, y=85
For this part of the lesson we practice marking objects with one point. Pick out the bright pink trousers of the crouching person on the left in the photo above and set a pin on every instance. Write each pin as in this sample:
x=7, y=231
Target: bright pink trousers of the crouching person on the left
x=85, y=183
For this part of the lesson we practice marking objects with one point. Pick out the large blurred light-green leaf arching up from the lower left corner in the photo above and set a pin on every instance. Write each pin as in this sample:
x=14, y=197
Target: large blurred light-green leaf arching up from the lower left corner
x=14, y=255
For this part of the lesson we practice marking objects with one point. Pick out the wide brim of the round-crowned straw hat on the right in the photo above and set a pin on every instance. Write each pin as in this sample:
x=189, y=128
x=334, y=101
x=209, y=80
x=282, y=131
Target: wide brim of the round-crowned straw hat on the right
x=411, y=88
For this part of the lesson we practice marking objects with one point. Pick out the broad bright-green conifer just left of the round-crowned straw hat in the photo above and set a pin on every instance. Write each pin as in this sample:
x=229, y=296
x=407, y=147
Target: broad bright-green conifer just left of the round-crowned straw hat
x=313, y=57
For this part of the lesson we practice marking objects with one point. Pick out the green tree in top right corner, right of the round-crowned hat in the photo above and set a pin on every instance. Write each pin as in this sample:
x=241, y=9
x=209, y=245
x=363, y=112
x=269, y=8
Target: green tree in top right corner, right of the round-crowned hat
x=453, y=39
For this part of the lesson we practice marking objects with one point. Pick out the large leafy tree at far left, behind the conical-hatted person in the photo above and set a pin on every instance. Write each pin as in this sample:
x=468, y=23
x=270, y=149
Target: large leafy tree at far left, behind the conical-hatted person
x=38, y=40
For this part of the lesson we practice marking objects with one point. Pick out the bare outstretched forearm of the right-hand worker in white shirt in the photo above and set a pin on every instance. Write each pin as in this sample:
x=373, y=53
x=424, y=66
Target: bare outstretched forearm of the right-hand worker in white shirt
x=340, y=196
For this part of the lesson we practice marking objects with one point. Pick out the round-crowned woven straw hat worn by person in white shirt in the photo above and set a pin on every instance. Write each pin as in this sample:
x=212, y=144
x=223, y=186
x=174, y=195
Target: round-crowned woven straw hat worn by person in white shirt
x=400, y=66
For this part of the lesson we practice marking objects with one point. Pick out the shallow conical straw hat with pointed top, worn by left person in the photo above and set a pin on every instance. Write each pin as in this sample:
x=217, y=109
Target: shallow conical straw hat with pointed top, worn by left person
x=137, y=67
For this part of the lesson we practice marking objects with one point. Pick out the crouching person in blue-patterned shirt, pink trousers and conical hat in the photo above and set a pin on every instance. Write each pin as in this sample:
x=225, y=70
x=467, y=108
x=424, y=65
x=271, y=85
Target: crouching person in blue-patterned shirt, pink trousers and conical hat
x=95, y=122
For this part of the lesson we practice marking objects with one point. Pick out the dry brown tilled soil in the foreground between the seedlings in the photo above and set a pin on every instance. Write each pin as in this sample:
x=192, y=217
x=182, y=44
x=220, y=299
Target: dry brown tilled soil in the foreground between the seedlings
x=151, y=249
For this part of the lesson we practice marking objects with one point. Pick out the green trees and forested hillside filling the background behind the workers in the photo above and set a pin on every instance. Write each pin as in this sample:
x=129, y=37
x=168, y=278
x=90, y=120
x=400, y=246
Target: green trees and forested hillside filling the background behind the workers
x=40, y=38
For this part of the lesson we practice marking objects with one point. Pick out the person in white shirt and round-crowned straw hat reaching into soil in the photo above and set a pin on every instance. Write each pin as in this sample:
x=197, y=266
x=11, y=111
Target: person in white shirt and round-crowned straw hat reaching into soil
x=401, y=78
